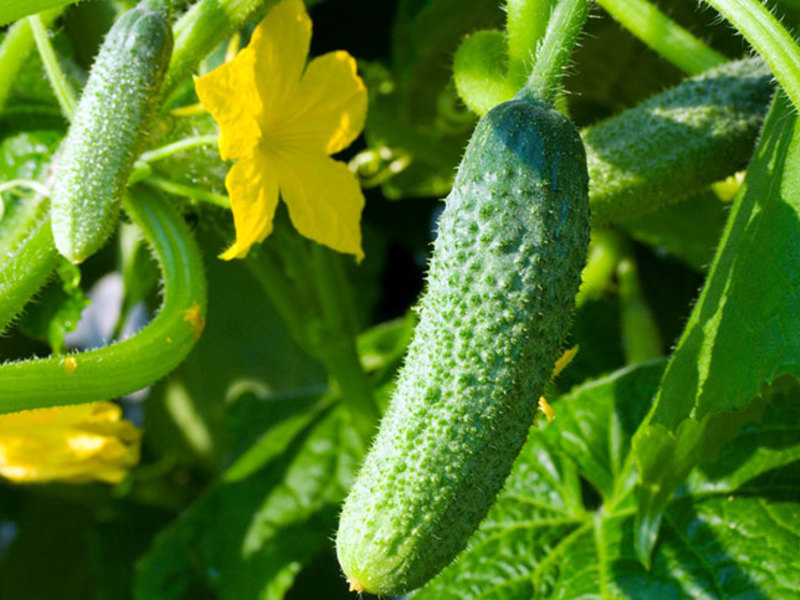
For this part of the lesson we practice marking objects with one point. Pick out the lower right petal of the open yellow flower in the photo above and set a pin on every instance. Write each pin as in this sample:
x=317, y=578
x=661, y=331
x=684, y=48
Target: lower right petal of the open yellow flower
x=324, y=199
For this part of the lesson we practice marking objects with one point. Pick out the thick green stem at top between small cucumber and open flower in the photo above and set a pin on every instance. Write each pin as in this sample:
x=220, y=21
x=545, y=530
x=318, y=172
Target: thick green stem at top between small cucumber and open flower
x=202, y=28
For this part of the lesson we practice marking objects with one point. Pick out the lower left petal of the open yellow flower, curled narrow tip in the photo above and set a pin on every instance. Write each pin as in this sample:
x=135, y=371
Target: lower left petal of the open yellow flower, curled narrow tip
x=252, y=185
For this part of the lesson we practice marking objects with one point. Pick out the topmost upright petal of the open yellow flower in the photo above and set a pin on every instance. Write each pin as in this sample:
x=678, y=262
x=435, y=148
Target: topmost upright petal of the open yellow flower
x=280, y=43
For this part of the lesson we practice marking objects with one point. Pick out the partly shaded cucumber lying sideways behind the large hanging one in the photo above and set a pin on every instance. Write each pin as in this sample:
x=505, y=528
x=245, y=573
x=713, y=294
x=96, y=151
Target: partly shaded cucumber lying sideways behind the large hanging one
x=678, y=142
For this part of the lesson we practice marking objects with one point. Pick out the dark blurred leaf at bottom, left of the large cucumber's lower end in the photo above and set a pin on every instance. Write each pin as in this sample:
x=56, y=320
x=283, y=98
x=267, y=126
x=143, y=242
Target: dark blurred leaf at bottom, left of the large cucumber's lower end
x=249, y=535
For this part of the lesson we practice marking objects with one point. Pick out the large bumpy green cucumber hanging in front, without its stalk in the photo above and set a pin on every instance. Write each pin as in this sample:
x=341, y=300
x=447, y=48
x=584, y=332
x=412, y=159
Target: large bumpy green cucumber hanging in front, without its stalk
x=501, y=286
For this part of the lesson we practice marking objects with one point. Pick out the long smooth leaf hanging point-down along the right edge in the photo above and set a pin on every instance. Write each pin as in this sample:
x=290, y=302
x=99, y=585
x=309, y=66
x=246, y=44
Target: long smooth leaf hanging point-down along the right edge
x=743, y=332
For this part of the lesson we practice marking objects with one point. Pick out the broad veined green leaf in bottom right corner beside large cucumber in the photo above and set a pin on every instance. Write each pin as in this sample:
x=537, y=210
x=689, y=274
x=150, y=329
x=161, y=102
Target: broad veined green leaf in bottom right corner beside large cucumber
x=563, y=525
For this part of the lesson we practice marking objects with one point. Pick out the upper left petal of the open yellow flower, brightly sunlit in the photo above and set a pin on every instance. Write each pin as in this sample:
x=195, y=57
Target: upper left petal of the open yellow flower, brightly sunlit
x=229, y=93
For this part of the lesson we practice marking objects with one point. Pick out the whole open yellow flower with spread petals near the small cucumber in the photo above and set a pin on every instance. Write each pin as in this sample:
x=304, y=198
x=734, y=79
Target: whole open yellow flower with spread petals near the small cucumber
x=282, y=120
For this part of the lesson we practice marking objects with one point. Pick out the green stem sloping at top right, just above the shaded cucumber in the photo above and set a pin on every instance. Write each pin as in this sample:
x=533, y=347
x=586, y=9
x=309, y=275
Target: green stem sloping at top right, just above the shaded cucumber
x=663, y=35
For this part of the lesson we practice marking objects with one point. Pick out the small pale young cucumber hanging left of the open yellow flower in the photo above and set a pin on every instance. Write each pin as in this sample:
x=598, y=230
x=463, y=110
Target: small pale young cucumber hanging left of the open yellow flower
x=106, y=135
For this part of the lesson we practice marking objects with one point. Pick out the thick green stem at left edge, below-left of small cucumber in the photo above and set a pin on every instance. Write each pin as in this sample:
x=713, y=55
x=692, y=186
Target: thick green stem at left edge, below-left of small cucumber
x=28, y=256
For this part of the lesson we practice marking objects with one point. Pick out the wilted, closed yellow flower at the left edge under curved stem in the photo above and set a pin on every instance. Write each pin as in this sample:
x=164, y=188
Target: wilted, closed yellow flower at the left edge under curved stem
x=75, y=443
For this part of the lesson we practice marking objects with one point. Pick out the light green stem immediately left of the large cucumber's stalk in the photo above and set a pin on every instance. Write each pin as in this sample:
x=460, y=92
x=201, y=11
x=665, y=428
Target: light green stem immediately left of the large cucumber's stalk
x=526, y=25
